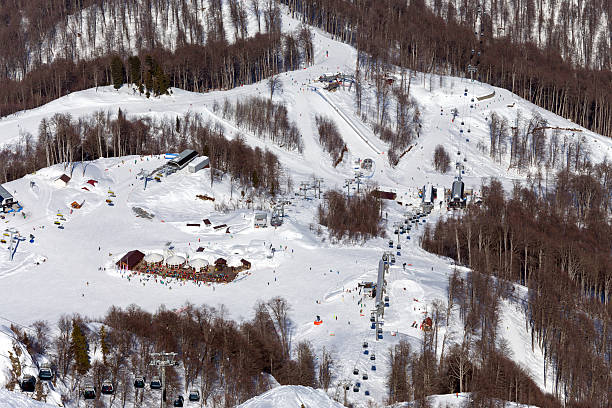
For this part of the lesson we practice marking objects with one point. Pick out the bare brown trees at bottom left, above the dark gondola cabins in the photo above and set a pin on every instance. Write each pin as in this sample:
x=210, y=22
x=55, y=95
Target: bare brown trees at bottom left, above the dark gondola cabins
x=225, y=360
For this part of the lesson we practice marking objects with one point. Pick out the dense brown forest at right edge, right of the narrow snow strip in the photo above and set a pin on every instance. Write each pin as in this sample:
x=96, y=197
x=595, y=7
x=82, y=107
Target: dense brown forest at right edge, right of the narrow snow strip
x=555, y=241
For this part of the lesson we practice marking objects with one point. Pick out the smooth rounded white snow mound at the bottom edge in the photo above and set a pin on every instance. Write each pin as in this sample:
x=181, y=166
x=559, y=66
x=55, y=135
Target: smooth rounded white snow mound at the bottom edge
x=291, y=396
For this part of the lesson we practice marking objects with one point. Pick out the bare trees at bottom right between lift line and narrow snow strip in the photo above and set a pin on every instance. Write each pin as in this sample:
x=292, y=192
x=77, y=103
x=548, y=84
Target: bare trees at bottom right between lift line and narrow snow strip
x=472, y=359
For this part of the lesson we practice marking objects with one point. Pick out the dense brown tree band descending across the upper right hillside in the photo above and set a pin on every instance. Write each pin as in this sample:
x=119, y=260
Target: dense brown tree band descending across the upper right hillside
x=413, y=37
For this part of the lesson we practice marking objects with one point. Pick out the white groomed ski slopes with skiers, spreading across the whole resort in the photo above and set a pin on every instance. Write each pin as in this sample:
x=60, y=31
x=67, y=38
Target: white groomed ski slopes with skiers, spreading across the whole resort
x=72, y=269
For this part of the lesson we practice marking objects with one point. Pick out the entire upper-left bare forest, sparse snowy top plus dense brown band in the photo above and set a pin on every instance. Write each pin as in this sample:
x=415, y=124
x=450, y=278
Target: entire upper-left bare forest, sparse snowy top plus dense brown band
x=207, y=61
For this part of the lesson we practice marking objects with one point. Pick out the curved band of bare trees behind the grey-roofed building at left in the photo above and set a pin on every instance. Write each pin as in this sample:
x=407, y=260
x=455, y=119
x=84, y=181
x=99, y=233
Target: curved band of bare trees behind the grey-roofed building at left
x=63, y=139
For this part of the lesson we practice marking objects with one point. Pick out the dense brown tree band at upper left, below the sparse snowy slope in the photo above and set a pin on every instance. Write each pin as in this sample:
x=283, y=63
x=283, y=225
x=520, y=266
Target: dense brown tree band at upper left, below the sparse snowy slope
x=215, y=64
